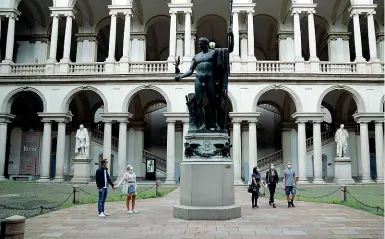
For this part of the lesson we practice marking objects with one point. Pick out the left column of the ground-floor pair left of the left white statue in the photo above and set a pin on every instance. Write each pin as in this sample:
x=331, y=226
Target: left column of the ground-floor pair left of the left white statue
x=46, y=152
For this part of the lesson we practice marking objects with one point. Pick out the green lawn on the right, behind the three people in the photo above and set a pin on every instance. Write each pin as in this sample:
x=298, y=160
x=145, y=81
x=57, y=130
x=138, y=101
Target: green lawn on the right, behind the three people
x=367, y=197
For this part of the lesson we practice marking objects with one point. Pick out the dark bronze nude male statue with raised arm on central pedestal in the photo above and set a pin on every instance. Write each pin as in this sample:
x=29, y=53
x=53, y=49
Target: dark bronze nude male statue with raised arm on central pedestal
x=213, y=69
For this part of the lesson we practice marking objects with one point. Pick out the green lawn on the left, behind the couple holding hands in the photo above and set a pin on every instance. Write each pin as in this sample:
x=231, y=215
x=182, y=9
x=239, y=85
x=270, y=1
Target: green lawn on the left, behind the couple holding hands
x=31, y=199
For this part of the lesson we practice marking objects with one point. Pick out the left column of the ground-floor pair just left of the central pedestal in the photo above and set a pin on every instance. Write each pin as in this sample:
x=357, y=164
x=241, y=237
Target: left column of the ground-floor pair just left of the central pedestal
x=170, y=178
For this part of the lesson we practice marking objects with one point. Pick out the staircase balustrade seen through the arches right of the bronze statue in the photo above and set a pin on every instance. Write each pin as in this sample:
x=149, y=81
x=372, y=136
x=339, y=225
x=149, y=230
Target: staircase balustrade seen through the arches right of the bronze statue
x=277, y=158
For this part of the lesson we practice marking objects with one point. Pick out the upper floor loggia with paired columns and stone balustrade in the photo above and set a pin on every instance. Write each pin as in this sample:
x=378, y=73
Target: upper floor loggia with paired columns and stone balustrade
x=146, y=36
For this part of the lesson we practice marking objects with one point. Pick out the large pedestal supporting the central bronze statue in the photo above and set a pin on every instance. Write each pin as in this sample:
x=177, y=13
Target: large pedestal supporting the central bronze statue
x=207, y=181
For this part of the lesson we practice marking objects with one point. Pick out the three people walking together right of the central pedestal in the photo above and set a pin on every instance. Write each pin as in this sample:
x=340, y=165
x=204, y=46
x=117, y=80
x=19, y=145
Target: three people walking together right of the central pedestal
x=272, y=179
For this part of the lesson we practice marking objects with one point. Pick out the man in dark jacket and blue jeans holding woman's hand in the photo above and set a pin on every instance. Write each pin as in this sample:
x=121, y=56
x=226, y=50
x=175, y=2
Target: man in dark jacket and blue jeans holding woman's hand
x=102, y=181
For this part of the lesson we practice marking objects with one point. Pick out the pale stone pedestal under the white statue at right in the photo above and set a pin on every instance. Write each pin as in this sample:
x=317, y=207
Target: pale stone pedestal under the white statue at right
x=343, y=171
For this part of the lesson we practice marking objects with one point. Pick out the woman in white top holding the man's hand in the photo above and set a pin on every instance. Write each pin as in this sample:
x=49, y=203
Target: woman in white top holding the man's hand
x=129, y=188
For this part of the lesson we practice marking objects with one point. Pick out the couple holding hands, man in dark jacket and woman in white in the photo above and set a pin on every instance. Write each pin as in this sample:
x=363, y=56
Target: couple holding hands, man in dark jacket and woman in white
x=128, y=181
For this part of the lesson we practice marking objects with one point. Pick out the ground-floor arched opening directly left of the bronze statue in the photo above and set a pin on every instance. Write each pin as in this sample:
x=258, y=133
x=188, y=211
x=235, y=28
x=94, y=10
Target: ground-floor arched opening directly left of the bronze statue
x=147, y=134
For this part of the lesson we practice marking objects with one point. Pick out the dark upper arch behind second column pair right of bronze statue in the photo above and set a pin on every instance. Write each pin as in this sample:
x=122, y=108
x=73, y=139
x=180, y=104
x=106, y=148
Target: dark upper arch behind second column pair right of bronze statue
x=321, y=34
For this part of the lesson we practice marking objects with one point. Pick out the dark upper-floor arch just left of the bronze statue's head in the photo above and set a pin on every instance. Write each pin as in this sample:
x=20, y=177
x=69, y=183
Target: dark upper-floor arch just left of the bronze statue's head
x=158, y=38
